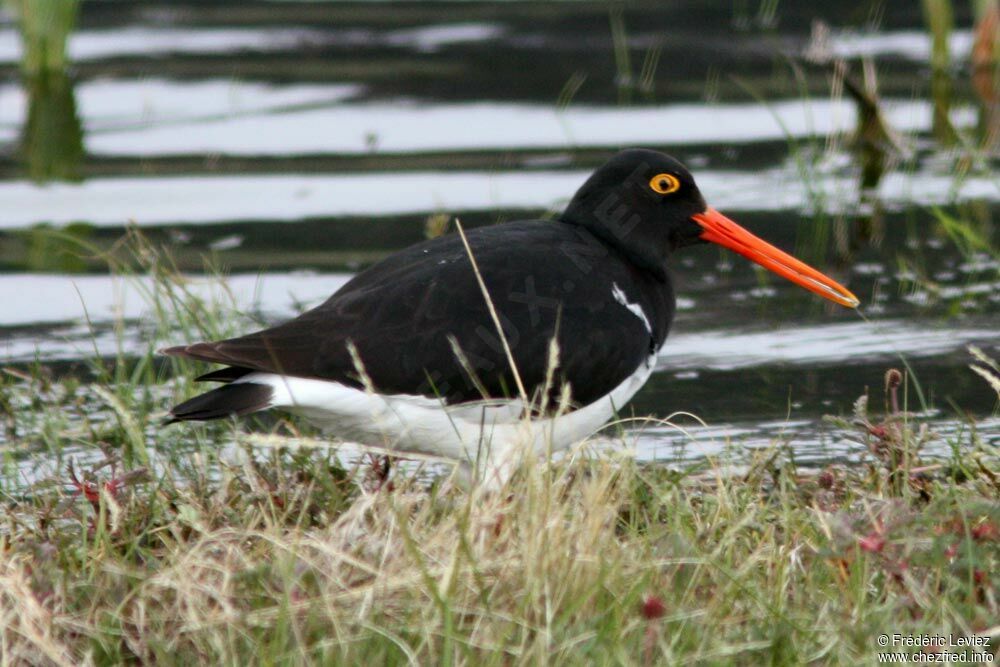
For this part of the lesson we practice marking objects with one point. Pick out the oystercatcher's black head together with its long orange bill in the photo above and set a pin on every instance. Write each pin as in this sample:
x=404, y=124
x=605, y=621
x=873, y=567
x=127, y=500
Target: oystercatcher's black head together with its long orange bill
x=647, y=204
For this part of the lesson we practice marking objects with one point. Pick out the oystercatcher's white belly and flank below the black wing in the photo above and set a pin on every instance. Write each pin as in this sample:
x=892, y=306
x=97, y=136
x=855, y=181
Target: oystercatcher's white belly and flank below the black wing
x=490, y=433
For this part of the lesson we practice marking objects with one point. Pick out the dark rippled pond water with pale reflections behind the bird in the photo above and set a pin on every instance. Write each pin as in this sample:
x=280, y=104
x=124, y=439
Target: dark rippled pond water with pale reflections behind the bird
x=295, y=142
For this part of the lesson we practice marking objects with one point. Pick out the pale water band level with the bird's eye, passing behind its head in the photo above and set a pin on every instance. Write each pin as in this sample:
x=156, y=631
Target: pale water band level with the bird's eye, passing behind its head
x=212, y=199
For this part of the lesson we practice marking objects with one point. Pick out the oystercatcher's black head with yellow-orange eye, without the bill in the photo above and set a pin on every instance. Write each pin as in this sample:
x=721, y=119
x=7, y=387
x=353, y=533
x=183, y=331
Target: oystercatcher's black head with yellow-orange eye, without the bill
x=640, y=201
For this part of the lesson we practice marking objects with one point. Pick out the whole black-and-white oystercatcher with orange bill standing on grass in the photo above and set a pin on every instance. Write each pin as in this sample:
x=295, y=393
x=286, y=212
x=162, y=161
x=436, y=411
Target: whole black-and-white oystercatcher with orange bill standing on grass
x=479, y=346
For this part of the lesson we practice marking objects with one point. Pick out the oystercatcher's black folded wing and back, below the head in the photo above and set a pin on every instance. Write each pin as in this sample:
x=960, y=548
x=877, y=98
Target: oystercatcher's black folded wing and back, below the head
x=406, y=315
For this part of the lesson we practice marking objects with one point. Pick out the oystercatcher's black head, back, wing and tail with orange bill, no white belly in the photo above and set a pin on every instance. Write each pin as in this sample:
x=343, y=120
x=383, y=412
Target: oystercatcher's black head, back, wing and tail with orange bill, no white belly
x=594, y=280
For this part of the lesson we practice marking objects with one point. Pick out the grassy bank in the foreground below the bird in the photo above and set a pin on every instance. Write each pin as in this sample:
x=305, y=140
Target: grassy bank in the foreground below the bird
x=205, y=545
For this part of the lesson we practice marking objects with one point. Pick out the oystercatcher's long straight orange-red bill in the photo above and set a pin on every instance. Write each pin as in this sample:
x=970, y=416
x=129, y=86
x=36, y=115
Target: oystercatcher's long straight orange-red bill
x=720, y=229
